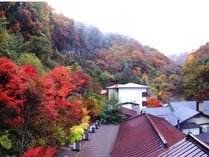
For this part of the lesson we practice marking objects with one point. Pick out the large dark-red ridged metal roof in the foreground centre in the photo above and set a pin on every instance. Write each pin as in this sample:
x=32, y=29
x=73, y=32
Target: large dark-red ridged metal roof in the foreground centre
x=145, y=135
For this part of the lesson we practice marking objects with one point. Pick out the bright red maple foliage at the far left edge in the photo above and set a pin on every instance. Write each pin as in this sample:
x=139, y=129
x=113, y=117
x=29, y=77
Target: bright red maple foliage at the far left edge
x=12, y=87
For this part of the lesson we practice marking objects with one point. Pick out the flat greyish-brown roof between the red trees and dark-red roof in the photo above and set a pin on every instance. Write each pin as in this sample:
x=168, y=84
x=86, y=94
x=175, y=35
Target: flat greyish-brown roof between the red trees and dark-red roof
x=99, y=145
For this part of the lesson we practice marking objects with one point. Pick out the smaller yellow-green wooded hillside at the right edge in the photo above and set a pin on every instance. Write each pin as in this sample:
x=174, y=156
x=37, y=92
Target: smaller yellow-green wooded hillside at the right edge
x=196, y=74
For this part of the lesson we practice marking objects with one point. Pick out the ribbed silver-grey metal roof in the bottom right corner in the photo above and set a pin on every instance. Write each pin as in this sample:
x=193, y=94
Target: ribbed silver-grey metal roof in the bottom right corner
x=188, y=147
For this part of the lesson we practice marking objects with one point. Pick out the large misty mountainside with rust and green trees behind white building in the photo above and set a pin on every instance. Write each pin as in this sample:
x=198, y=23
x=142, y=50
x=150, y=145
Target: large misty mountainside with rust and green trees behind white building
x=34, y=28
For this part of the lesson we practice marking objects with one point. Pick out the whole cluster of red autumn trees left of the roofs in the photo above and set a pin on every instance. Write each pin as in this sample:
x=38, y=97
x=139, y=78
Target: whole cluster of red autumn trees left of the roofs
x=29, y=102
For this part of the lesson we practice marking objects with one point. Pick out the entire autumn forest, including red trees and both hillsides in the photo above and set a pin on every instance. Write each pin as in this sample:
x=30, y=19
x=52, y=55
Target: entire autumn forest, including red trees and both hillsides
x=54, y=67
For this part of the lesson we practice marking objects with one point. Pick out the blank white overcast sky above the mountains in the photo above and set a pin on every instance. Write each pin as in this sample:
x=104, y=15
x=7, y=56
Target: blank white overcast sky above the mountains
x=170, y=26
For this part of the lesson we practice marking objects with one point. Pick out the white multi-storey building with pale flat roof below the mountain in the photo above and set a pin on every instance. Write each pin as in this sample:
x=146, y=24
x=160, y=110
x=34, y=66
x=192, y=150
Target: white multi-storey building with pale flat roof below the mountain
x=129, y=94
